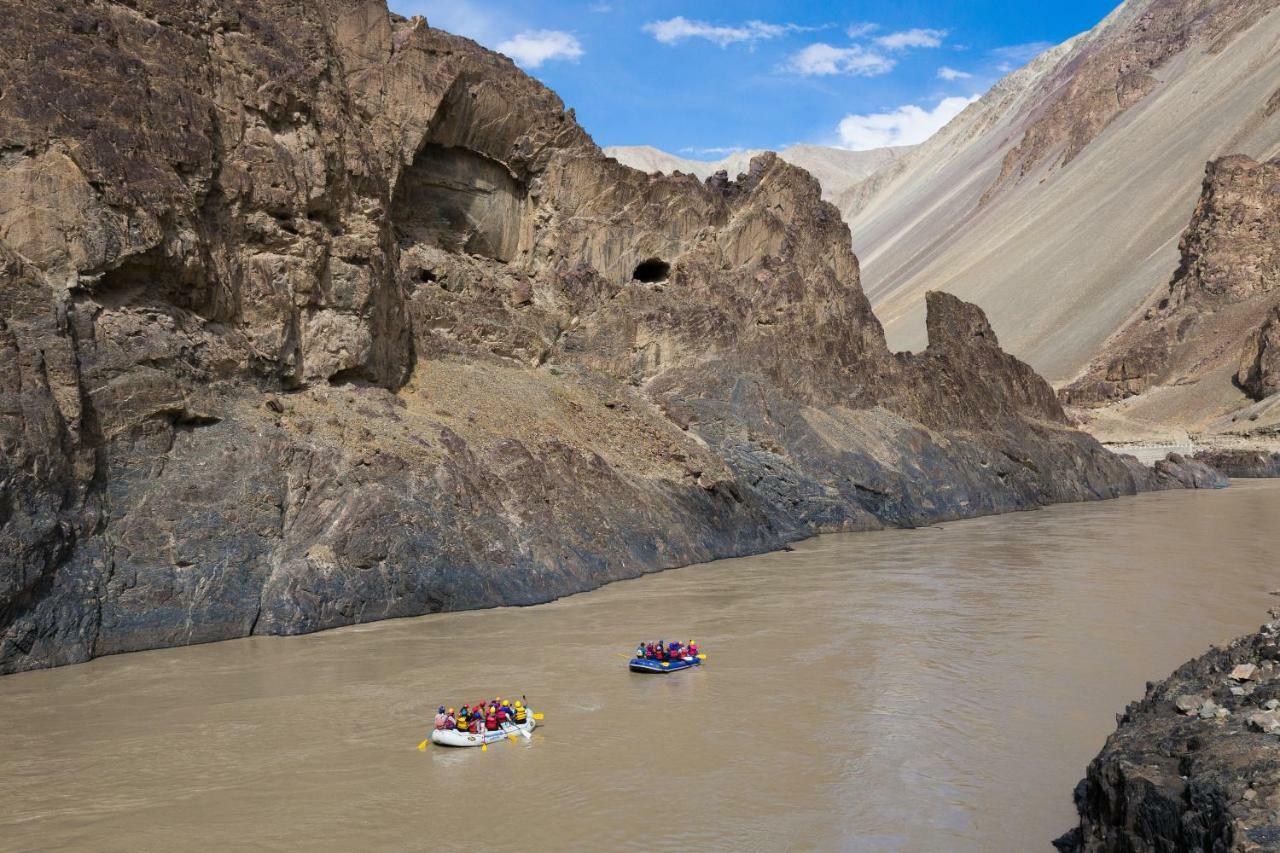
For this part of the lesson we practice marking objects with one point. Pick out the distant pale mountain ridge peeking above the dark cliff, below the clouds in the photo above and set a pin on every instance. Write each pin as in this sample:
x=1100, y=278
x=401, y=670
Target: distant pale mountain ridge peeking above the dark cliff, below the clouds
x=836, y=170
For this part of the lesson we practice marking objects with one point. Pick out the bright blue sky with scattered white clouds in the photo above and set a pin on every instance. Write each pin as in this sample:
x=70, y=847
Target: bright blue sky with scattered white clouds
x=702, y=79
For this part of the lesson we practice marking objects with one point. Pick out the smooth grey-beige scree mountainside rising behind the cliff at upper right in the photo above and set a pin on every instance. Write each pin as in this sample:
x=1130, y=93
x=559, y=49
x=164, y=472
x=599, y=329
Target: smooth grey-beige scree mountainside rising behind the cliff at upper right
x=1057, y=202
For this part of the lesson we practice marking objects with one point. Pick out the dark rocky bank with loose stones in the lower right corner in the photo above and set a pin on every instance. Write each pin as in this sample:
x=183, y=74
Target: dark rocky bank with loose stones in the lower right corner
x=1196, y=764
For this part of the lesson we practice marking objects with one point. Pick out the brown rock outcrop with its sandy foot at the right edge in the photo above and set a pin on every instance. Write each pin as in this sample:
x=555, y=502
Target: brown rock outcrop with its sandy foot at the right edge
x=1205, y=354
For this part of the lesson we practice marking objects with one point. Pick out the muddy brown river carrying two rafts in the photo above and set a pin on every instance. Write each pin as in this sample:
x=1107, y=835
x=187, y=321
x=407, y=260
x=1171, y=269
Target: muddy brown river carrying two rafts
x=938, y=690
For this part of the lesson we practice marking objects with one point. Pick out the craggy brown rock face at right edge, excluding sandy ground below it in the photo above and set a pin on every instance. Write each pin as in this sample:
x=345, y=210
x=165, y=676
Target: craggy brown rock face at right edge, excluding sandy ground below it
x=1218, y=314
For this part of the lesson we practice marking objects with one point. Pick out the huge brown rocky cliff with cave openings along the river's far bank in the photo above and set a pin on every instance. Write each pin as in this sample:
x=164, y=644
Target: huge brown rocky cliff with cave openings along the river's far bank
x=313, y=316
